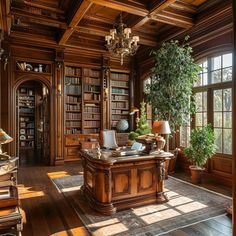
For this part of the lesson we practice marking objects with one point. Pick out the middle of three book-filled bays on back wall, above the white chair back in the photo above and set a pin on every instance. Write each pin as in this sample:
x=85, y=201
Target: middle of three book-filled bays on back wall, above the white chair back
x=92, y=101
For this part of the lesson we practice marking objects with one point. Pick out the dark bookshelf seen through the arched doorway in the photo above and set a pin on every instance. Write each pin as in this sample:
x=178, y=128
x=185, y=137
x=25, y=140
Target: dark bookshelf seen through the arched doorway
x=26, y=106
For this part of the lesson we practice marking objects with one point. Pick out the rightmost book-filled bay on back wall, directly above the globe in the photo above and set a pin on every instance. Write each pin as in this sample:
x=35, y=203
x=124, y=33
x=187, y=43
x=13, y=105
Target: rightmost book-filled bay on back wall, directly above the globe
x=120, y=106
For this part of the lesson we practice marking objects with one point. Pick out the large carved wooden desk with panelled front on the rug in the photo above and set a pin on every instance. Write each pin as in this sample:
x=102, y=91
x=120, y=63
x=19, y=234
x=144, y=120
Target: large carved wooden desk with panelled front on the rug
x=114, y=183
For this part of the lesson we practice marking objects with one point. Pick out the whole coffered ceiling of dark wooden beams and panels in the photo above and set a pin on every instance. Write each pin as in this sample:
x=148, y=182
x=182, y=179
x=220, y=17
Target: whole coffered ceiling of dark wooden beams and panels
x=84, y=23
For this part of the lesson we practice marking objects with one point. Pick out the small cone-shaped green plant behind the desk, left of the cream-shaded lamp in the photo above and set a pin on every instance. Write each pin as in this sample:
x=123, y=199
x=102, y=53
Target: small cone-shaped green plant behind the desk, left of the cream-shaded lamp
x=142, y=125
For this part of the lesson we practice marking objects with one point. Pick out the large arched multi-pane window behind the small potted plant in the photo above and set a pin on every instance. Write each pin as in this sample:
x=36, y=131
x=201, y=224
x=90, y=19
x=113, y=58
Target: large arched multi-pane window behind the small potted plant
x=214, y=87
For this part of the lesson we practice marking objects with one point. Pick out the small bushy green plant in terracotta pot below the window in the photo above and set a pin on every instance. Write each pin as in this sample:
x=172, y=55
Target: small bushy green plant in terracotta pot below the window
x=201, y=148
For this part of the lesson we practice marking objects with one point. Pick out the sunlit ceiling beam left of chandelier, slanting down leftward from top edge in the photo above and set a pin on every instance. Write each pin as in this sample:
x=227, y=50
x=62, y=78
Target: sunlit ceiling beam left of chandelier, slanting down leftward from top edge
x=82, y=9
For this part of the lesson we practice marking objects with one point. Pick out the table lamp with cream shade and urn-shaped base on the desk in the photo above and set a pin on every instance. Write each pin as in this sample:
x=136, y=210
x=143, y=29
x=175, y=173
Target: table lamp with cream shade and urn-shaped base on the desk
x=160, y=127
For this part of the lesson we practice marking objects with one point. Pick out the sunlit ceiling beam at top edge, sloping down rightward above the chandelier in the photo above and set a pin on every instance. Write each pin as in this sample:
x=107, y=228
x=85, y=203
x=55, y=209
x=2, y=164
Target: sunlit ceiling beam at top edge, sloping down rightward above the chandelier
x=123, y=5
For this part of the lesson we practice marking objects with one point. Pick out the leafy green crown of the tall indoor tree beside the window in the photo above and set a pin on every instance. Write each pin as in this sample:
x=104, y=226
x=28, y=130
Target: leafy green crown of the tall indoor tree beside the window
x=170, y=92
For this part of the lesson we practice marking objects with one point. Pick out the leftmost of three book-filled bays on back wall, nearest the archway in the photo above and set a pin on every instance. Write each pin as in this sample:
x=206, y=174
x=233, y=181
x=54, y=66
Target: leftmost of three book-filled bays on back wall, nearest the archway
x=73, y=100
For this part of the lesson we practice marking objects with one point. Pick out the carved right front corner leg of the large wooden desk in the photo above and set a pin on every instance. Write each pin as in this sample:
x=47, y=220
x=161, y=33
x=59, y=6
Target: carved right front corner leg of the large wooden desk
x=161, y=196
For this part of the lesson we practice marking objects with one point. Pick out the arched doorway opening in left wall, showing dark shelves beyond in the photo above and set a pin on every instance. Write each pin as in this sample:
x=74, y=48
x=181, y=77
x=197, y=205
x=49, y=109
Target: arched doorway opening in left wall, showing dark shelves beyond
x=32, y=123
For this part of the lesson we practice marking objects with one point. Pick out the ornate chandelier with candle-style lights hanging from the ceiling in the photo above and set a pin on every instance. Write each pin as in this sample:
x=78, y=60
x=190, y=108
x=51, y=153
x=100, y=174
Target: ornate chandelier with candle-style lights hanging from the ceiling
x=120, y=41
